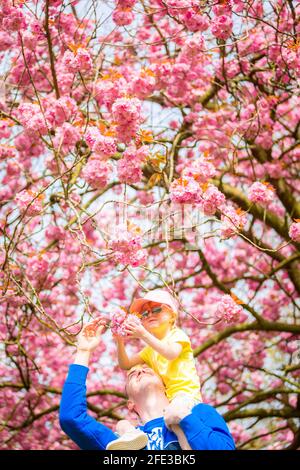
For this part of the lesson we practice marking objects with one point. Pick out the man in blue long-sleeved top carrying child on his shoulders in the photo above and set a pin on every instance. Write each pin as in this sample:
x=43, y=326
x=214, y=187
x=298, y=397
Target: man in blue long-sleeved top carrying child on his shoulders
x=203, y=427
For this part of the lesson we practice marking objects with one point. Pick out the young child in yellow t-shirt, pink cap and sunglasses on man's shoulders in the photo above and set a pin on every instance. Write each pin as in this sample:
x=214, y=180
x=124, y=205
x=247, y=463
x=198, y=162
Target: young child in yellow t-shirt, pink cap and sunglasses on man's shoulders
x=168, y=353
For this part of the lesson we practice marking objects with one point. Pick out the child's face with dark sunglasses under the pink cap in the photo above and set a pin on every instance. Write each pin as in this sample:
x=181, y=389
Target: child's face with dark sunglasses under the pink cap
x=157, y=317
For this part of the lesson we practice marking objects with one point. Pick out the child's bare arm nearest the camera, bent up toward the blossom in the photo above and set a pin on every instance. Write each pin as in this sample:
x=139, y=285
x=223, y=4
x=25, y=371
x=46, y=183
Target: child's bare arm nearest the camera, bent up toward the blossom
x=169, y=350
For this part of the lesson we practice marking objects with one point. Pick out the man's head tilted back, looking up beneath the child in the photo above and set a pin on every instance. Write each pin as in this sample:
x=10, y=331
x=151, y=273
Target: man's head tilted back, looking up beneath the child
x=142, y=383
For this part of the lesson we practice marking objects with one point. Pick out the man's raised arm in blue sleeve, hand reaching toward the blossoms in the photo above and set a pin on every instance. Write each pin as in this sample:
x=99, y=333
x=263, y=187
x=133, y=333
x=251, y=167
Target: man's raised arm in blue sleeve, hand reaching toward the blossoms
x=84, y=430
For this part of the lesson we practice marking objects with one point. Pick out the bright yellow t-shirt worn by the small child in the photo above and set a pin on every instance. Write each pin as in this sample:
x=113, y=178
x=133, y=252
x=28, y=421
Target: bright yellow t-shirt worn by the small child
x=178, y=375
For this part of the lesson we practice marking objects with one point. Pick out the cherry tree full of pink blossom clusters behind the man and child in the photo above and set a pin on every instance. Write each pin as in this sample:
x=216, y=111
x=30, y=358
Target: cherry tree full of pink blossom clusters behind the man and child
x=146, y=144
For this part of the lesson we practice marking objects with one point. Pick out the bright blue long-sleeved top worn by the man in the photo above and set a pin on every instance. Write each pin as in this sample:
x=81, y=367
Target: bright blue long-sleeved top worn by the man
x=204, y=428
